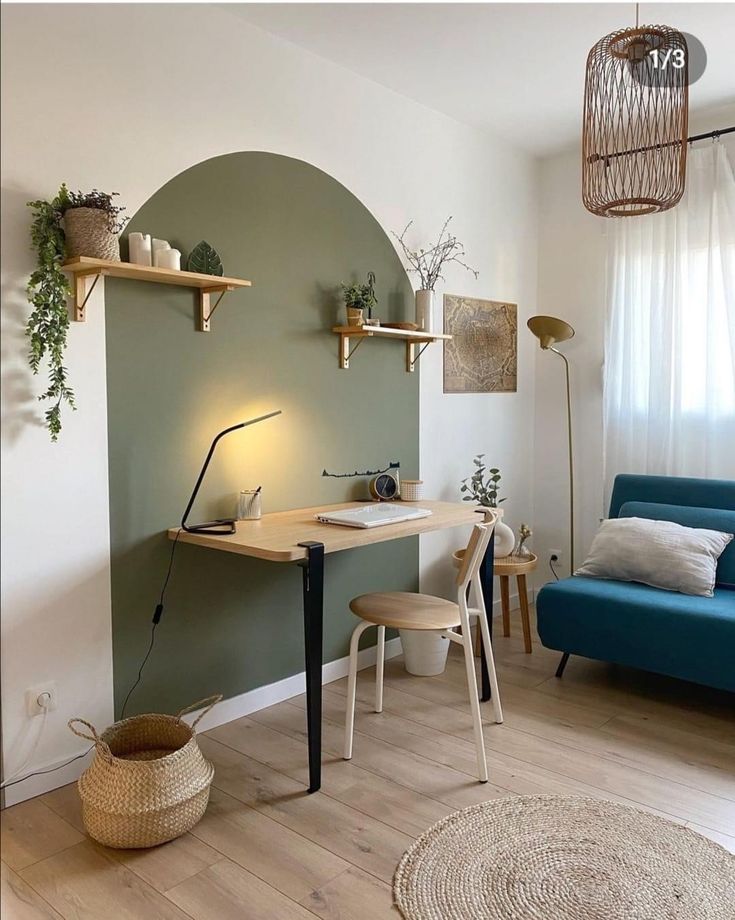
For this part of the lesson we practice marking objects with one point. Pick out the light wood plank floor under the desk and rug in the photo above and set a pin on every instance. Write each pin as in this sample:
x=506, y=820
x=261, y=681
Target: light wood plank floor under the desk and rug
x=265, y=849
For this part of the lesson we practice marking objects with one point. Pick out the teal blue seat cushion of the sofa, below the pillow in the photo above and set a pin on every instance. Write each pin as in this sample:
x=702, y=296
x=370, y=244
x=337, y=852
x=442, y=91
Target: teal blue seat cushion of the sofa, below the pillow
x=633, y=624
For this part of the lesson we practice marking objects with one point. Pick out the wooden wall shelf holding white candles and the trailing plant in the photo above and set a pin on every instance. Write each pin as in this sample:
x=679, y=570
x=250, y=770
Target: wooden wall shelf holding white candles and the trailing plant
x=84, y=267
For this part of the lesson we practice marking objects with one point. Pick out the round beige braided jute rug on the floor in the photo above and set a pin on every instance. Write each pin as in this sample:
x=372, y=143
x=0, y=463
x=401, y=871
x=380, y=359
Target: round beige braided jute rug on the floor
x=557, y=857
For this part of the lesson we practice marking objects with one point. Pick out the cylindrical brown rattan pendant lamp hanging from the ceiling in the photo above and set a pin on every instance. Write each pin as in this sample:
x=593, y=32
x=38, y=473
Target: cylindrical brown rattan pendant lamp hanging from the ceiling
x=634, y=130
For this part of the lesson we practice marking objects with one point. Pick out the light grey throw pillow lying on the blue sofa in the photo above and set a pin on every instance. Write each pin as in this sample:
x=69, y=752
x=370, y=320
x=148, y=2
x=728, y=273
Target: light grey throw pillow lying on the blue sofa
x=658, y=553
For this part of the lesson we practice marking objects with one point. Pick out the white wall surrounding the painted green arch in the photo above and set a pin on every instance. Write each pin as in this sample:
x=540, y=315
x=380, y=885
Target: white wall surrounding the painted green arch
x=123, y=98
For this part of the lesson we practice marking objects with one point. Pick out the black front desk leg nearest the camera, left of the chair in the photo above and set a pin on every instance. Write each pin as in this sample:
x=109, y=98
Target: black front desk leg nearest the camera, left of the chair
x=313, y=571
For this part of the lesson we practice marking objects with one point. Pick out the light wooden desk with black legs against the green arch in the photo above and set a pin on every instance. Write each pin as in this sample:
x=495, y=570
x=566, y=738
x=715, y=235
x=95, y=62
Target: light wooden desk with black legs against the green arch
x=295, y=536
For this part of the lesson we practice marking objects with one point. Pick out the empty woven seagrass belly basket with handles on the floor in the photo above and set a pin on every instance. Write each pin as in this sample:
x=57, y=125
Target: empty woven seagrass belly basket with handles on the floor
x=148, y=781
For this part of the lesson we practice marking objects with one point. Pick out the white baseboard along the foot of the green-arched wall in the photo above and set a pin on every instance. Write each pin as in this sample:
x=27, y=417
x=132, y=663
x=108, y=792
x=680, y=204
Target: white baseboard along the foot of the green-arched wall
x=227, y=711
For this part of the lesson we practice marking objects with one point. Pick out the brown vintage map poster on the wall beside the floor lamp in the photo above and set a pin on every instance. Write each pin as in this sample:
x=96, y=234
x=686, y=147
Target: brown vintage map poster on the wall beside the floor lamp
x=482, y=356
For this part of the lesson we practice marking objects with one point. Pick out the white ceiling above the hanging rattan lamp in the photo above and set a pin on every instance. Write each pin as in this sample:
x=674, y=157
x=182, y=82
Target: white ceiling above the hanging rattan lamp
x=516, y=69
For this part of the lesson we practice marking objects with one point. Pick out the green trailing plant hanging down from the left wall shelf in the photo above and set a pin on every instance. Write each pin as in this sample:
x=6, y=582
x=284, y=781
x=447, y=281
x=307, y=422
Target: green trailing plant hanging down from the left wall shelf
x=48, y=288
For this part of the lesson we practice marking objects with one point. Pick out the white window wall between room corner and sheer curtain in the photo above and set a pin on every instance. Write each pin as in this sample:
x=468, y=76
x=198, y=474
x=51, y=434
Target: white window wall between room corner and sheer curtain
x=571, y=285
